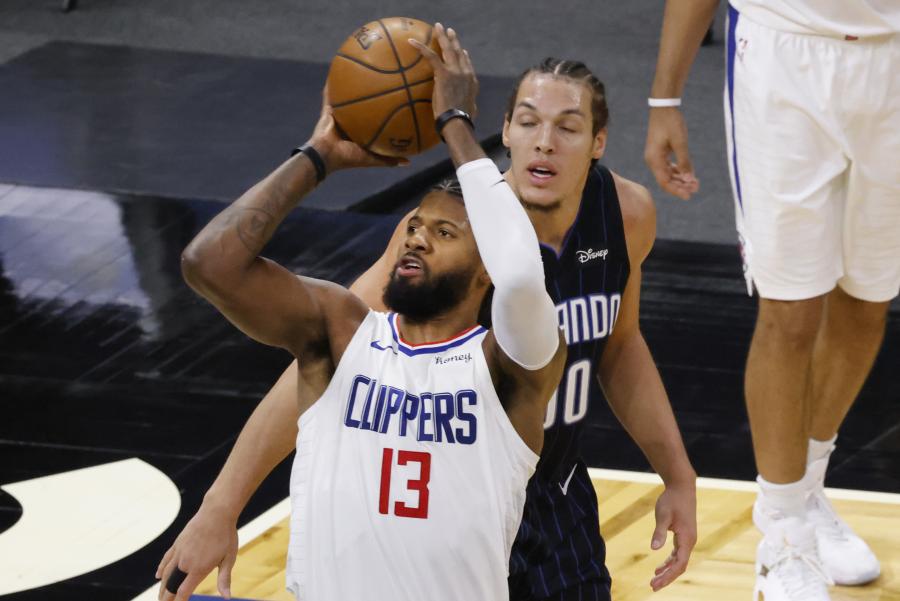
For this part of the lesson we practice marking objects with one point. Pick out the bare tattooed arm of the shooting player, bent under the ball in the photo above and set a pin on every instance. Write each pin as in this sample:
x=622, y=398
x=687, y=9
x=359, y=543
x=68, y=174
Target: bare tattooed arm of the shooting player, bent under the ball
x=261, y=298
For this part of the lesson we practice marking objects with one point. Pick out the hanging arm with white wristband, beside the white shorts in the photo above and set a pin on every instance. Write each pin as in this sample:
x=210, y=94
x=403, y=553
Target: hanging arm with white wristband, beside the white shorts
x=684, y=24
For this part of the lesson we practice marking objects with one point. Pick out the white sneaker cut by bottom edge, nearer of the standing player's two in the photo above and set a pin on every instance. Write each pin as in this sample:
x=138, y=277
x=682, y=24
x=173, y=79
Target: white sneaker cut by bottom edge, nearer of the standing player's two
x=787, y=564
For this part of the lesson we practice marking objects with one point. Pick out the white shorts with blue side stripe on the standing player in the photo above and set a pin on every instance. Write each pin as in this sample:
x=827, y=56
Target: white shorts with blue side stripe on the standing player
x=813, y=128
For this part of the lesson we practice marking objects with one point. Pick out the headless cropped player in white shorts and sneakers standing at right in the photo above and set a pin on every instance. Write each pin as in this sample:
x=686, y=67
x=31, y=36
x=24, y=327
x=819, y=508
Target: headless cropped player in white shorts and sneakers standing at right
x=812, y=104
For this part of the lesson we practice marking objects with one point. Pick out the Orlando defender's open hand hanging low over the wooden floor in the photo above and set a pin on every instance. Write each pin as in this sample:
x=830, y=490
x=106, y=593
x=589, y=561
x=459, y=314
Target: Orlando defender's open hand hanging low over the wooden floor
x=676, y=510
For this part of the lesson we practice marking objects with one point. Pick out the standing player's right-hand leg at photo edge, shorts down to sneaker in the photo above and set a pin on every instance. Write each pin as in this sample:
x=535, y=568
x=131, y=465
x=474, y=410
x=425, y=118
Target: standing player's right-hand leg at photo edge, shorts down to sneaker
x=856, y=312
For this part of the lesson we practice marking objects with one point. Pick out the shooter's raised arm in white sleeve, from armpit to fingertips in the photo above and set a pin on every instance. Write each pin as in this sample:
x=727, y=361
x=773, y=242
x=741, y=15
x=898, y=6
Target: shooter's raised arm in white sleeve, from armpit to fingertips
x=528, y=355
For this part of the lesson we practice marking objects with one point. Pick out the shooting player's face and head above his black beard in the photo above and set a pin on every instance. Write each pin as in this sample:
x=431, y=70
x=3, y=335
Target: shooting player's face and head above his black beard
x=438, y=242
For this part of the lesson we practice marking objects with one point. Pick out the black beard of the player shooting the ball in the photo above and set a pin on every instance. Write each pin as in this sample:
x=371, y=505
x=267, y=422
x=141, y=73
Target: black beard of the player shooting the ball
x=432, y=297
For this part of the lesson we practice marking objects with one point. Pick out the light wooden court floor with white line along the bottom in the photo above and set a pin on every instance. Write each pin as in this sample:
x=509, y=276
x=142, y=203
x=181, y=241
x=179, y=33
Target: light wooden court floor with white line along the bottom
x=721, y=568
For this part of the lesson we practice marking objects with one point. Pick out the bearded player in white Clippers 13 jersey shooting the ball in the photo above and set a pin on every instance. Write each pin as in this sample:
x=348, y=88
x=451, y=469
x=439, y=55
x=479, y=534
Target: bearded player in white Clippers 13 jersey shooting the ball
x=410, y=472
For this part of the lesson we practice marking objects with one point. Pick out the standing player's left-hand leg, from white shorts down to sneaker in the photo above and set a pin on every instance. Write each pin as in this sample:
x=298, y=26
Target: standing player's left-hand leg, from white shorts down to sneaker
x=789, y=177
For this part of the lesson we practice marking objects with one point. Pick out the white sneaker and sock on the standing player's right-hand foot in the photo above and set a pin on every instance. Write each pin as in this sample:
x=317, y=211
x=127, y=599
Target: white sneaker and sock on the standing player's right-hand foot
x=846, y=557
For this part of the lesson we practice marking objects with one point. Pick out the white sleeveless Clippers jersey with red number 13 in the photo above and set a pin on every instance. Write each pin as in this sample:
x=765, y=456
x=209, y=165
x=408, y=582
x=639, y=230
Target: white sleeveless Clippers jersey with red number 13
x=409, y=479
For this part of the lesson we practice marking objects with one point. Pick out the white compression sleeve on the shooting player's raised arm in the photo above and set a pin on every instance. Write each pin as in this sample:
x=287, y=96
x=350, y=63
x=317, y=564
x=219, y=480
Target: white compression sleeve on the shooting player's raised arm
x=522, y=313
